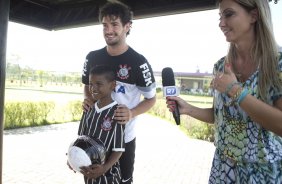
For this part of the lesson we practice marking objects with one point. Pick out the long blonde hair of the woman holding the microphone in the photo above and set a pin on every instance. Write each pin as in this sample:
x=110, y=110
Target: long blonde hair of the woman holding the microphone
x=265, y=49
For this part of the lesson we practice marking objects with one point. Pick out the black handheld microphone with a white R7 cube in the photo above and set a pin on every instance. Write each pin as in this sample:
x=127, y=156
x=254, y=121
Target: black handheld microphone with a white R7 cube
x=169, y=89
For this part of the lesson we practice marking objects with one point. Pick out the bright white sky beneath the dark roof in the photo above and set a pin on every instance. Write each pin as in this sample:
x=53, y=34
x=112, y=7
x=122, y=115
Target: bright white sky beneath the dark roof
x=185, y=42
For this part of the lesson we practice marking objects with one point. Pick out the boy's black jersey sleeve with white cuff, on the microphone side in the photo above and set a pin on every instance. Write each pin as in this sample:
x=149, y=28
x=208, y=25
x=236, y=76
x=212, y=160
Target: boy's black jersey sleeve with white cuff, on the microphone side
x=118, y=143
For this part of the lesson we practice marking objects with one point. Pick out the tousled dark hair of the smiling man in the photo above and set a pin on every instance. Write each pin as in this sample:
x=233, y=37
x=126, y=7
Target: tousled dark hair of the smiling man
x=116, y=9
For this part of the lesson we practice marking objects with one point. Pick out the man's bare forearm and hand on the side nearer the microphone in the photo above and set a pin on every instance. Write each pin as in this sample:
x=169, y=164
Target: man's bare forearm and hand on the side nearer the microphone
x=123, y=114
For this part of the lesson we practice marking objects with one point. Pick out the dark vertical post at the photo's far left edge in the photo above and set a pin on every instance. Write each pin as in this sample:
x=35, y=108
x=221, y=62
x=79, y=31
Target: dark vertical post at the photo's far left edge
x=4, y=19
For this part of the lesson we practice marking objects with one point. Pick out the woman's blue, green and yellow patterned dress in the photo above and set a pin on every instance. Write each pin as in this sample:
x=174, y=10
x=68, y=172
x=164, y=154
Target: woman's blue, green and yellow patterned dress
x=245, y=152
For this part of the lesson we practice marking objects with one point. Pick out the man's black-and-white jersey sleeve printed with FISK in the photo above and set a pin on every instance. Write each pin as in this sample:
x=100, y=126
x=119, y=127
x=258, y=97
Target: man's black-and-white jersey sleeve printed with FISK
x=145, y=79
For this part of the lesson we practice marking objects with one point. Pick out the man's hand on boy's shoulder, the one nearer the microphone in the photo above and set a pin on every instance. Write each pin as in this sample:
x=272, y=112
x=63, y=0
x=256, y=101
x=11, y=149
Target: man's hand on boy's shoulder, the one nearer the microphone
x=123, y=114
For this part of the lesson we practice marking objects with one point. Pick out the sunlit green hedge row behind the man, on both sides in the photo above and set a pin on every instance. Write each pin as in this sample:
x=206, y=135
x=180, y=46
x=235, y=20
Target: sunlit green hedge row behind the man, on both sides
x=22, y=114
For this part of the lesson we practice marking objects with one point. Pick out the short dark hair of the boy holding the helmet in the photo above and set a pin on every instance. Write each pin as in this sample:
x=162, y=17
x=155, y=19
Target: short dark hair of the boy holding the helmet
x=105, y=70
